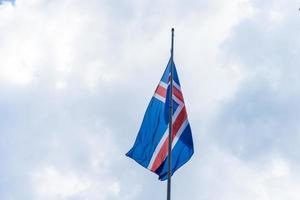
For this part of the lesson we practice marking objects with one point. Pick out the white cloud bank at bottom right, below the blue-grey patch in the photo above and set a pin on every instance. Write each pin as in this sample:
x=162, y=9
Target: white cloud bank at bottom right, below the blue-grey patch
x=222, y=175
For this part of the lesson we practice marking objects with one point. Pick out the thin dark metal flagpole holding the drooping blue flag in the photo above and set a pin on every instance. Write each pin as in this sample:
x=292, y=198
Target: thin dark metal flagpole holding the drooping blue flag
x=170, y=122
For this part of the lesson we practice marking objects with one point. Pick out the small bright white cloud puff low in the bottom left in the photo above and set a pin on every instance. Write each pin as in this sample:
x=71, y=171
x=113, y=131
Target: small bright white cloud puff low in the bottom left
x=52, y=183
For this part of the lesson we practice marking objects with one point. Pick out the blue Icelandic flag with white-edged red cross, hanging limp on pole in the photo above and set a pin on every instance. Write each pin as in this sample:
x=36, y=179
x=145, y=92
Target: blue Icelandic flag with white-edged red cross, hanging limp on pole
x=151, y=146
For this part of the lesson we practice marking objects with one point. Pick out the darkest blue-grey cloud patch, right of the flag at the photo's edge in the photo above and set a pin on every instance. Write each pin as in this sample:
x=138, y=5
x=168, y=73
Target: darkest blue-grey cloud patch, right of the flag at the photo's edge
x=258, y=122
